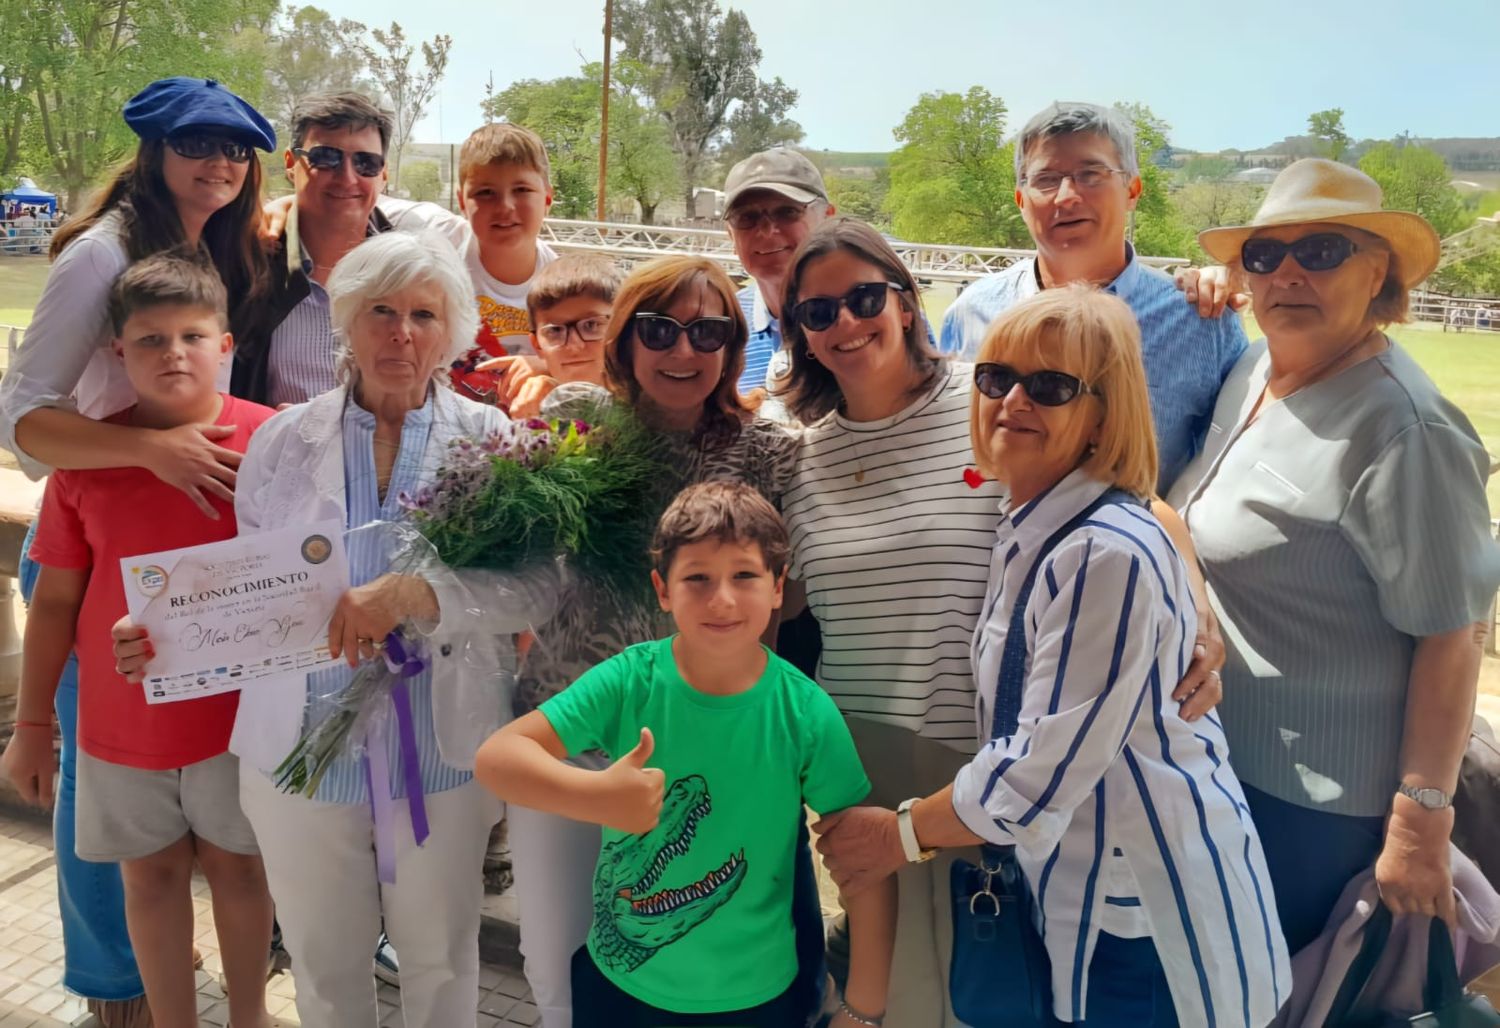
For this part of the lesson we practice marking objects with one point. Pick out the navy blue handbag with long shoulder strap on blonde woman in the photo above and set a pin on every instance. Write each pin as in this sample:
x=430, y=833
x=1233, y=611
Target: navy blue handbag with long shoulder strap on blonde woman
x=1000, y=975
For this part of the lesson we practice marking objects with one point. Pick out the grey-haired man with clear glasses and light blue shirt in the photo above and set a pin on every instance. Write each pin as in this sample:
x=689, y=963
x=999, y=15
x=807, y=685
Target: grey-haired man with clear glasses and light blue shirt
x=1076, y=182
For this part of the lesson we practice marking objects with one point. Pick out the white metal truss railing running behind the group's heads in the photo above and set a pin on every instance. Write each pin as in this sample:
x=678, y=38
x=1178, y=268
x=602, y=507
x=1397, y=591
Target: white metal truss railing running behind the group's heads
x=644, y=242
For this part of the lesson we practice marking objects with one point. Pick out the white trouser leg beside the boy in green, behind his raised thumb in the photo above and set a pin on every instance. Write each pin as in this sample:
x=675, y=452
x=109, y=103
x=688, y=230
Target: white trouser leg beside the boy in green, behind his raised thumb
x=554, y=864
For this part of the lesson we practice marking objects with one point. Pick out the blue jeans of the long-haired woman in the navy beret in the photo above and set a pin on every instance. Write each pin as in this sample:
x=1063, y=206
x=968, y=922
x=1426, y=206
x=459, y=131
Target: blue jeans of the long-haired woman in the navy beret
x=98, y=961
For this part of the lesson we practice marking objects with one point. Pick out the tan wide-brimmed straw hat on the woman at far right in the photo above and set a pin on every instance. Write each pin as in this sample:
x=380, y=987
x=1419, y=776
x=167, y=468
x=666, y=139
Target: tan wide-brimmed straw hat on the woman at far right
x=1330, y=193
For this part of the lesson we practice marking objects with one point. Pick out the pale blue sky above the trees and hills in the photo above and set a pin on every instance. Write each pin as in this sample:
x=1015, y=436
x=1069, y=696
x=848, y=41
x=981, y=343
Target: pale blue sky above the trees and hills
x=1222, y=74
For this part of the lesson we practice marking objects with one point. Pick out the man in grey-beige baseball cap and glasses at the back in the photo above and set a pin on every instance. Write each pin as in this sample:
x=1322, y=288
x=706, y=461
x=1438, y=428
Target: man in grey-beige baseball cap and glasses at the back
x=773, y=202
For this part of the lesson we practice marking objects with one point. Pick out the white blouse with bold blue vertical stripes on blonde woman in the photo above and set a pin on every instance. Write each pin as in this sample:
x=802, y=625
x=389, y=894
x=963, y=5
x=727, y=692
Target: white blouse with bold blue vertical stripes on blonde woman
x=1126, y=819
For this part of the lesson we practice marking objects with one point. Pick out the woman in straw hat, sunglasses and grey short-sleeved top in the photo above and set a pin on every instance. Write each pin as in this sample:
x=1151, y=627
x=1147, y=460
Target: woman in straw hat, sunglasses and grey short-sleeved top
x=1340, y=516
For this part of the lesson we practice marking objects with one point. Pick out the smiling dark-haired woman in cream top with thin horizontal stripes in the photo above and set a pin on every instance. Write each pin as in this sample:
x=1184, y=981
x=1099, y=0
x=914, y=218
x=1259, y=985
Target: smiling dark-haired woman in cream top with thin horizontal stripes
x=892, y=546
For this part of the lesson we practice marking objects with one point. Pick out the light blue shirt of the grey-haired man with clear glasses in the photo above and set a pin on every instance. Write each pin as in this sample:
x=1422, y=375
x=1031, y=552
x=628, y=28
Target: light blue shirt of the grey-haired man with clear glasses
x=1187, y=358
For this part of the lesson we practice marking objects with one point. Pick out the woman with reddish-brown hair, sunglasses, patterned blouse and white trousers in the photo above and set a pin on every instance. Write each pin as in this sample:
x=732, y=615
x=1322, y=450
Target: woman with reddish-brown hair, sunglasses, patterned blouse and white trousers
x=674, y=352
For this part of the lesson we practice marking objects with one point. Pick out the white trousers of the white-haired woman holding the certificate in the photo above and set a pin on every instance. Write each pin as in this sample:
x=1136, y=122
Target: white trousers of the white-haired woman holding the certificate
x=320, y=864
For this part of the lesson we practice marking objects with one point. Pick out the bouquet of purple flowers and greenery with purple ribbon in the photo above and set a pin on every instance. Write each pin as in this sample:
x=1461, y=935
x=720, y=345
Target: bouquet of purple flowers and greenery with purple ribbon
x=536, y=491
